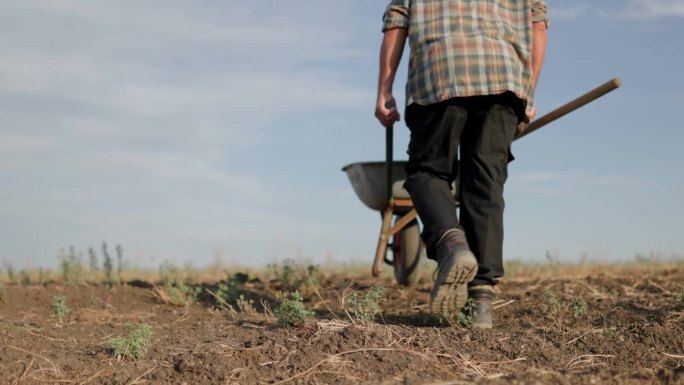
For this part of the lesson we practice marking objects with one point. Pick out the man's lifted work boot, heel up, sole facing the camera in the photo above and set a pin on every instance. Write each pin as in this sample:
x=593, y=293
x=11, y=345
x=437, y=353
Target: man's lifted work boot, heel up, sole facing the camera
x=456, y=266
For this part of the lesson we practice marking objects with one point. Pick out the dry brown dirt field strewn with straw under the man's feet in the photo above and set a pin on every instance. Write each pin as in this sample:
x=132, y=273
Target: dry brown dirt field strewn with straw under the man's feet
x=598, y=325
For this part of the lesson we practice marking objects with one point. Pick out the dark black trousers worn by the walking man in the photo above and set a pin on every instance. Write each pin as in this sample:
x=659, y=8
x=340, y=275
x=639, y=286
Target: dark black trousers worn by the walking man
x=468, y=138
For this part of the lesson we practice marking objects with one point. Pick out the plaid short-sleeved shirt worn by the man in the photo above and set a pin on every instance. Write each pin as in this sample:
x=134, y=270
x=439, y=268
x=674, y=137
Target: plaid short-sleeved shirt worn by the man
x=467, y=47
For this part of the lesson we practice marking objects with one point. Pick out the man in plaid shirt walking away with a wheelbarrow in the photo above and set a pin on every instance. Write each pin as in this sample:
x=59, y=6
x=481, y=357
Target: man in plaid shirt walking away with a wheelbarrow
x=473, y=68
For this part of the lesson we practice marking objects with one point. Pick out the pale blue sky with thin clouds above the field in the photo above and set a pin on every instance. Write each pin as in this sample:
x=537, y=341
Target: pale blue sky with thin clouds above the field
x=194, y=130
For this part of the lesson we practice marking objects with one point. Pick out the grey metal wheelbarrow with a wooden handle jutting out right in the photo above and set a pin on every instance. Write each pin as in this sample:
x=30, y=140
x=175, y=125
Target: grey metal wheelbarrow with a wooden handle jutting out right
x=379, y=185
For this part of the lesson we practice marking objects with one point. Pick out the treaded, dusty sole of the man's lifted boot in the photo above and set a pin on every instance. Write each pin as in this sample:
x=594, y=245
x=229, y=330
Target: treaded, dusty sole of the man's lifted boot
x=450, y=295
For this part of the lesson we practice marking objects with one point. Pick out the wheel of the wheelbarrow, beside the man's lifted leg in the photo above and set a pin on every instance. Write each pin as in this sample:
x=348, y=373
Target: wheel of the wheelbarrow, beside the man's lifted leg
x=406, y=247
